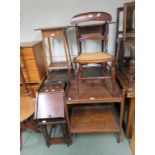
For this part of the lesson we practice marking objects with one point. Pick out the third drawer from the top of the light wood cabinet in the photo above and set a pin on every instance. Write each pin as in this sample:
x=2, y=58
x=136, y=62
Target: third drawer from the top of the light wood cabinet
x=31, y=76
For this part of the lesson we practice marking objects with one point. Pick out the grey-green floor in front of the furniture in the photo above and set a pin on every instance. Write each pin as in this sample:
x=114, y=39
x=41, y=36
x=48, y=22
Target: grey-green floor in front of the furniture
x=83, y=144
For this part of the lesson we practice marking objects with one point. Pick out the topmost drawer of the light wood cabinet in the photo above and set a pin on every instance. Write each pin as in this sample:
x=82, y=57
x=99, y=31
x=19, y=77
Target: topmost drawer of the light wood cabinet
x=27, y=53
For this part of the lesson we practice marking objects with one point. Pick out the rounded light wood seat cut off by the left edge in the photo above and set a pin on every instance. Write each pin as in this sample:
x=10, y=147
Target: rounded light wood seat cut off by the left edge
x=27, y=104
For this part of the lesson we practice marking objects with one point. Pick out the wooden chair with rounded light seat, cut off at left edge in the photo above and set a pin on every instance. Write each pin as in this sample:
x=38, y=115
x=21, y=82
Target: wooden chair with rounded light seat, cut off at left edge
x=27, y=104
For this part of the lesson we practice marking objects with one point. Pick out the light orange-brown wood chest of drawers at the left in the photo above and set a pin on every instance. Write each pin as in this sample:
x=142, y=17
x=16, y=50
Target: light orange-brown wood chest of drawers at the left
x=32, y=61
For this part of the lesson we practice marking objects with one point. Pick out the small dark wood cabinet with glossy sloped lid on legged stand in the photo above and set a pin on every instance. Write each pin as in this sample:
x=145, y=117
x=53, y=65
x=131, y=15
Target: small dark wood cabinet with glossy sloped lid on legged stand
x=50, y=110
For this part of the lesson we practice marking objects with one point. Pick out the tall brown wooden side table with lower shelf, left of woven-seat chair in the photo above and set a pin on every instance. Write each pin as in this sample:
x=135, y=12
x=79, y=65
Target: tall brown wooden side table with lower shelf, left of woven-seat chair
x=48, y=35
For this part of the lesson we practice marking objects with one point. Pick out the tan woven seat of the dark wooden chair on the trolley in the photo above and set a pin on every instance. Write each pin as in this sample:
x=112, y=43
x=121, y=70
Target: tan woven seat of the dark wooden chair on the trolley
x=97, y=57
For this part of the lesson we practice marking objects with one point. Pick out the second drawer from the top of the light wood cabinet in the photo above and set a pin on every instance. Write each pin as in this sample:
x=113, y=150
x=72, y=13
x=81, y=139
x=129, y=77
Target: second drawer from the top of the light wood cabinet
x=28, y=65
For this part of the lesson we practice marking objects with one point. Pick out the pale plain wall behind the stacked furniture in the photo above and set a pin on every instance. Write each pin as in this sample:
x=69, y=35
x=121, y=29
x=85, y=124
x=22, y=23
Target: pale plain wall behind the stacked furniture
x=48, y=13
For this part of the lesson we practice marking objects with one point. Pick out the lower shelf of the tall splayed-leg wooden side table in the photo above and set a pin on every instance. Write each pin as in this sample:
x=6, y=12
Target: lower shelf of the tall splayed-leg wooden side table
x=58, y=65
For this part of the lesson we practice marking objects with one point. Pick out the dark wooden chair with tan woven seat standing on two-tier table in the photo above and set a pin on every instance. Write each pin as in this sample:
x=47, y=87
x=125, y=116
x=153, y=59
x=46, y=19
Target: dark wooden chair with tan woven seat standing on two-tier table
x=93, y=32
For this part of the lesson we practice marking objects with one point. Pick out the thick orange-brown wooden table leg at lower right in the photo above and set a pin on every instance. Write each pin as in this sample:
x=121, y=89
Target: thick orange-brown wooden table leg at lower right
x=130, y=118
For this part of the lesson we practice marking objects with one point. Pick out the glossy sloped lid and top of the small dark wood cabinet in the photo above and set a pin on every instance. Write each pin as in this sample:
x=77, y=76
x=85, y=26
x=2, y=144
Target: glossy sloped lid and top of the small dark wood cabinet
x=50, y=101
